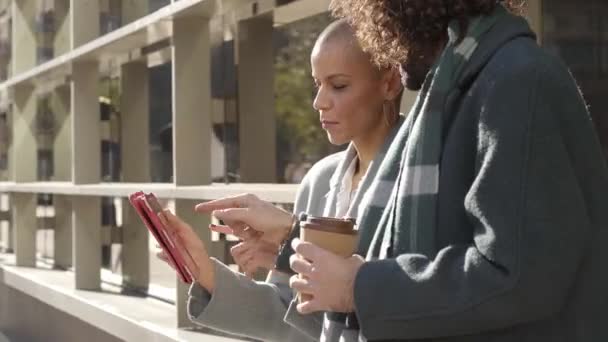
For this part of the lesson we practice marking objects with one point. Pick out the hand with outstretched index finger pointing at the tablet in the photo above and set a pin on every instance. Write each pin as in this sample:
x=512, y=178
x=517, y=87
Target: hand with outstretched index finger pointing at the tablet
x=248, y=211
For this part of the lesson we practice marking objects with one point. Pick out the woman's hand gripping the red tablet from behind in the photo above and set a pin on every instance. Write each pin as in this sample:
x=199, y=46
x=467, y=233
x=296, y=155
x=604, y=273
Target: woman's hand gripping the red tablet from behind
x=196, y=257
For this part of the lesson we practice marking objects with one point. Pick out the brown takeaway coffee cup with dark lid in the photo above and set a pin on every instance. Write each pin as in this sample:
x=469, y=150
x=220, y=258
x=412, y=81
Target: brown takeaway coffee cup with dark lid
x=338, y=236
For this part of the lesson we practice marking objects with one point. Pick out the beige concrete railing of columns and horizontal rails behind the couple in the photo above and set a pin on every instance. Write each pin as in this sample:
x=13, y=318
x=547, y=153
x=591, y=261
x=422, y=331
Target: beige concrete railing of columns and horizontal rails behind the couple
x=183, y=31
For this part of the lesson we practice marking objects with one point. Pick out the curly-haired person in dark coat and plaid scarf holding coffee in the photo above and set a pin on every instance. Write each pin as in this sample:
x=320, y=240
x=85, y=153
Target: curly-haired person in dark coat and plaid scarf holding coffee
x=498, y=219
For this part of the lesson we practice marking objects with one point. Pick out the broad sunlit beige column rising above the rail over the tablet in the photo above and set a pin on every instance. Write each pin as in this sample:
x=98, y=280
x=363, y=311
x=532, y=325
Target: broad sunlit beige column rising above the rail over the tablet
x=192, y=102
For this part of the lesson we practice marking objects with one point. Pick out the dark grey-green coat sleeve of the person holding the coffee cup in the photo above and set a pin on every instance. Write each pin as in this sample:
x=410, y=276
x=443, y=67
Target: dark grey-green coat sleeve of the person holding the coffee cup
x=529, y=222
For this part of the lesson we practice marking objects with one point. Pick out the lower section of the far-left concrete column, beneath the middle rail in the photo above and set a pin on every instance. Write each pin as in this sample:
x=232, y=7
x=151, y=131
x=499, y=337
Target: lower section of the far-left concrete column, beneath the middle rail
x=24, y=228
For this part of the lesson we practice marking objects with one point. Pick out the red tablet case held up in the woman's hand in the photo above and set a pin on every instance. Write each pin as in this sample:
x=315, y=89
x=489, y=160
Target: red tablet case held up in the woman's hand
x=144, y=205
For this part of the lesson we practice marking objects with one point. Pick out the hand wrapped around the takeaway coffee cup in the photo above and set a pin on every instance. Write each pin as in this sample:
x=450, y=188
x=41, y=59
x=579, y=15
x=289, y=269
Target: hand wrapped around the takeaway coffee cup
x=327, y=277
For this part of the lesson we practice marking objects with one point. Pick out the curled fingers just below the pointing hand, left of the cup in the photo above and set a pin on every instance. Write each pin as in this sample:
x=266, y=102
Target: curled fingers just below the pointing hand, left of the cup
x=254, y=254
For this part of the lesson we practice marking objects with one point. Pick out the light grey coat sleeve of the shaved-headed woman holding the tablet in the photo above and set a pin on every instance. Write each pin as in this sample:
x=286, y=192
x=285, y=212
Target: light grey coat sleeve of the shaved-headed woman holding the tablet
x=259, y=310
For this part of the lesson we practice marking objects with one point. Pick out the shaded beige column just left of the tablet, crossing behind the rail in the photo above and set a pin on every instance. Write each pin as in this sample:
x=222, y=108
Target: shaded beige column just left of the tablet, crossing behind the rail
x=135, y=154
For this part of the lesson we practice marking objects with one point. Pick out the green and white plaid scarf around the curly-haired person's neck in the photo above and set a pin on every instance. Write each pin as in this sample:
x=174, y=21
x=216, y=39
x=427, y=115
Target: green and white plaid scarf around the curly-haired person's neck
x=399, y=212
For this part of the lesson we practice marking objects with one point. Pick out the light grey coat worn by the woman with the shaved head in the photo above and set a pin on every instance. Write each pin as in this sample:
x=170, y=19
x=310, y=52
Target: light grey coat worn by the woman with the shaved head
x=264, y=310
